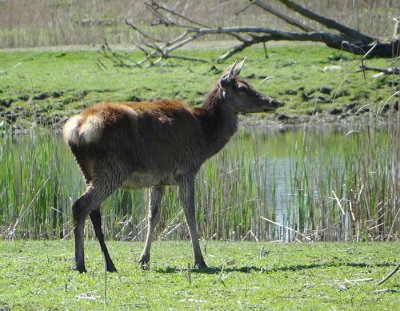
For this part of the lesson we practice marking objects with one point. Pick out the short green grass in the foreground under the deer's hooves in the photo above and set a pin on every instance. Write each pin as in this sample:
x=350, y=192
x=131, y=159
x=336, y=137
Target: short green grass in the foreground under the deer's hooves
x=243, y=276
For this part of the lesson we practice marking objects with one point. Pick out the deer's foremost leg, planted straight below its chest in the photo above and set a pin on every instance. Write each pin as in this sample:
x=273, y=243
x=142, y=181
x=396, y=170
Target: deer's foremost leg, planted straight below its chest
x=187, y=189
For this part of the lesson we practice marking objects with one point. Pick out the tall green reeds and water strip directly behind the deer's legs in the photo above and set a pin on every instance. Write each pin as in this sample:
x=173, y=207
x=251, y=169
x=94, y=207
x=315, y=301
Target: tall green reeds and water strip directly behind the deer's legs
x=311, y=185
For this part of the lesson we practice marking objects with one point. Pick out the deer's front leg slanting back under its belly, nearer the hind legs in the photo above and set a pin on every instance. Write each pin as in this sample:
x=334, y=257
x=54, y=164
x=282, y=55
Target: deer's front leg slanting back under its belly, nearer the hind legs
x=153, y=218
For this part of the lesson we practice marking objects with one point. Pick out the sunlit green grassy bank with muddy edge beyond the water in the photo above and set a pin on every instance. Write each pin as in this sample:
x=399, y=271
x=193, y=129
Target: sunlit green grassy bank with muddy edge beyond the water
x=41, y=88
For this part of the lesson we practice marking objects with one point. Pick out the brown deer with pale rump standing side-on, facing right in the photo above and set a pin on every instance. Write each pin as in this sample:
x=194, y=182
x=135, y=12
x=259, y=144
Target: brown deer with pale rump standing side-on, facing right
x=153, y=144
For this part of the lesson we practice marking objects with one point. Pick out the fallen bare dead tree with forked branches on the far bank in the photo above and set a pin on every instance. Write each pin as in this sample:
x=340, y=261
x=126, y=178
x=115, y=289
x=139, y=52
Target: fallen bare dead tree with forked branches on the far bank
x=337, y=36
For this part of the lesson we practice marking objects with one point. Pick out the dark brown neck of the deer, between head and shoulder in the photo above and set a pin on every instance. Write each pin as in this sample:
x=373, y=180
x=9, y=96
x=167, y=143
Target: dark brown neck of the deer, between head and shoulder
x=217, y=120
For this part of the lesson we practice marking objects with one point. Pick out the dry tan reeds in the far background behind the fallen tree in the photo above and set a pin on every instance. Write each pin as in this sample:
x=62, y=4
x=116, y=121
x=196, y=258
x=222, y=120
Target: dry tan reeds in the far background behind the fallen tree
x=79, y=22
